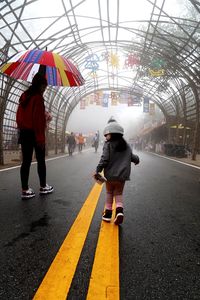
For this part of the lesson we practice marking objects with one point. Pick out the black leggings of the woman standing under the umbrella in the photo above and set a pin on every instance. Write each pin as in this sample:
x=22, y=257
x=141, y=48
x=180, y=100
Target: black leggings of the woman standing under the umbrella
x=28, y=144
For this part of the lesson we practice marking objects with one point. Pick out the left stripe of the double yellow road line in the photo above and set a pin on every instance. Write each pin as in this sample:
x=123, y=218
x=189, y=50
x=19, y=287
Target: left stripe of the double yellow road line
x=57, y=281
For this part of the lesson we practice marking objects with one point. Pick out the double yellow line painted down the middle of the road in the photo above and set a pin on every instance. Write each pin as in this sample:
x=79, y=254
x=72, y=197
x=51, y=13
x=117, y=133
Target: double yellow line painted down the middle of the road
x=104, y=281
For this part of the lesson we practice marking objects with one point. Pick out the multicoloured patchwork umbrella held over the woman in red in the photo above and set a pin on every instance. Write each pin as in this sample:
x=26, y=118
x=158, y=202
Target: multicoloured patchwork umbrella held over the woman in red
x=58, y=70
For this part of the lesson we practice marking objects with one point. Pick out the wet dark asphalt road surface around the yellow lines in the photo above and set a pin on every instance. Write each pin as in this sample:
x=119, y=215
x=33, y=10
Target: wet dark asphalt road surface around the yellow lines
x=159, y=240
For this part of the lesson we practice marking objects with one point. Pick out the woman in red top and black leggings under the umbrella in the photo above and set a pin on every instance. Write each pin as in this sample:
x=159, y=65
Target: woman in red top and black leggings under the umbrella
x=32, y=120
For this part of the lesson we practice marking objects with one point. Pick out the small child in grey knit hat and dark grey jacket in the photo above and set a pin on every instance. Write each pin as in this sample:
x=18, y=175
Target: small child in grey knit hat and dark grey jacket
x=116, y=162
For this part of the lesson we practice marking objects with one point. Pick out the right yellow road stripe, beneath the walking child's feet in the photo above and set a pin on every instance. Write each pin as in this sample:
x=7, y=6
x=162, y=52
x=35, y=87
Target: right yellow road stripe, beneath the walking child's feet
x=104, y=281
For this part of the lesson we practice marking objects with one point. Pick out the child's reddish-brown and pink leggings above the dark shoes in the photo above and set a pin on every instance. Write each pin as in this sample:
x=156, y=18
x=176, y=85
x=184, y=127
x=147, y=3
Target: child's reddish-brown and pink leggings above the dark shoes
x=114, y=189
